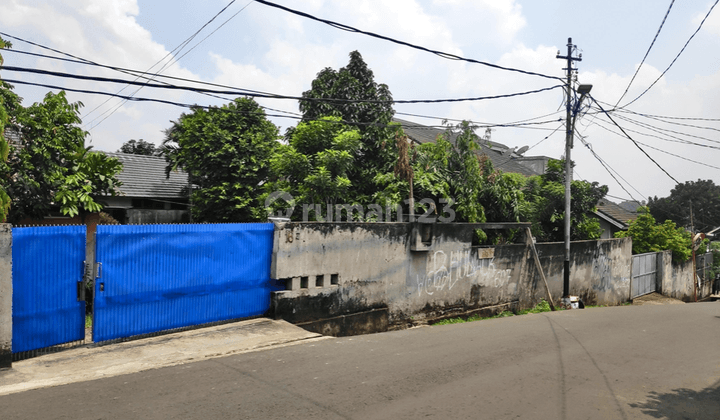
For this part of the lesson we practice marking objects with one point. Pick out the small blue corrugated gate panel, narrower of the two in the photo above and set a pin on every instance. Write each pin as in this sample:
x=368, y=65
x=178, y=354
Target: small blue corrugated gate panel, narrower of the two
x=47, y=264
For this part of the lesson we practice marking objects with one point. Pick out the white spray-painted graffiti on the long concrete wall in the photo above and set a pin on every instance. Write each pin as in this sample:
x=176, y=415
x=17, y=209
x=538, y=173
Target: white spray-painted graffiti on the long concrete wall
x=445, y=271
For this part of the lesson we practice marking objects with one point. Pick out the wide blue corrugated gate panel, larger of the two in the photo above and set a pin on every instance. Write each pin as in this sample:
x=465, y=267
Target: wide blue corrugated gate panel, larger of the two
x=160, y=277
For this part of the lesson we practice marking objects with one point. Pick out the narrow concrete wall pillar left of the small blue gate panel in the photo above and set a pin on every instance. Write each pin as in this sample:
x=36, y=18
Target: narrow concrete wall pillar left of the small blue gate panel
x=5, y=295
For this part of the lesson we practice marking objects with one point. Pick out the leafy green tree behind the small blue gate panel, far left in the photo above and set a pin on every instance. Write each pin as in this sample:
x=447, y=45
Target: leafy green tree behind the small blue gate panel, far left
x=52, y=168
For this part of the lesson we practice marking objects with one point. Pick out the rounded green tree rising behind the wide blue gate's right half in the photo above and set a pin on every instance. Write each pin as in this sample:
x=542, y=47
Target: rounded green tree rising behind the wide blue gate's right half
x=226, y=152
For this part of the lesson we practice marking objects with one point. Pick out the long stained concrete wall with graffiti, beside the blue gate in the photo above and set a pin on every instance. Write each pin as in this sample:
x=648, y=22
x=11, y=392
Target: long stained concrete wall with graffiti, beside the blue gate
x=336, y=269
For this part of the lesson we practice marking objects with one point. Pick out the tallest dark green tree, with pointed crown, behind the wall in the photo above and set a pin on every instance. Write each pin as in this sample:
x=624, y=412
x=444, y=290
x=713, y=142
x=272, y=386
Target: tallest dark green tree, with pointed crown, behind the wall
x=336, y=93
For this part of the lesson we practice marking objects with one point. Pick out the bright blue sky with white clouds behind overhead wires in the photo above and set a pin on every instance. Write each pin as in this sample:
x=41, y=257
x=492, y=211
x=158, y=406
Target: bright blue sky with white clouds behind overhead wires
x=254, y=46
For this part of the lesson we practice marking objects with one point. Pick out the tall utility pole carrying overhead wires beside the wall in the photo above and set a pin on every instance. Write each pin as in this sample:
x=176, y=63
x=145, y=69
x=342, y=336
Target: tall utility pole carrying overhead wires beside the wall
x=568, y=163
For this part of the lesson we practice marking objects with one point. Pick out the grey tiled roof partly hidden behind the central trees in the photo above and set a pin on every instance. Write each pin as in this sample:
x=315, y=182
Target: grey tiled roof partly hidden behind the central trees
x=503, y=161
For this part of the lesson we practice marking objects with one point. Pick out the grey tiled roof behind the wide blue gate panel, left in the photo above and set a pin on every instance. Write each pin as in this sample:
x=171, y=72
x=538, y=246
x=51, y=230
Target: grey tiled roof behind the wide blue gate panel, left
x=144, y=176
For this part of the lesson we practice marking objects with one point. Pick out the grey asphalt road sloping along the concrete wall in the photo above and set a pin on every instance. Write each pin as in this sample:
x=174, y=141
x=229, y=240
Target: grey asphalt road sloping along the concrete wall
x=659, y=361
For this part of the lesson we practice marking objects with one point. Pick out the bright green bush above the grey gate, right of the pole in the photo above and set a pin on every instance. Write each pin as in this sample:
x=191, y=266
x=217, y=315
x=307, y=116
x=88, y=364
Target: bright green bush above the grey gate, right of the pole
x=649, y=236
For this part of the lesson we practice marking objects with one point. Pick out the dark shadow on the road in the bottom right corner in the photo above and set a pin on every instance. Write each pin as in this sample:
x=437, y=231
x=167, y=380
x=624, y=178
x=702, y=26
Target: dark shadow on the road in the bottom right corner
x=683, y=403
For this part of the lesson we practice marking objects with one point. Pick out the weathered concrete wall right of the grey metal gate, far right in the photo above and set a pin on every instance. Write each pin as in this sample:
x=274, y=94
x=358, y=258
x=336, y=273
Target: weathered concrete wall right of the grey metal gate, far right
x=677, y=279
